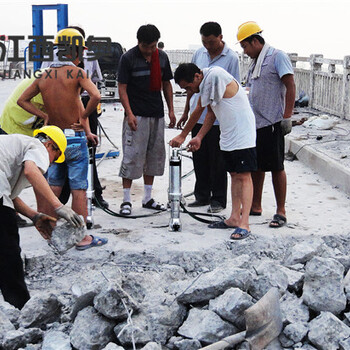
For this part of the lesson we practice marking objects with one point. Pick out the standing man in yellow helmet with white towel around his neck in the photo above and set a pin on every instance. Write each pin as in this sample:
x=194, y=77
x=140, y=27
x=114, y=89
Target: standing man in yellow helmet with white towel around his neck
x=270, y=80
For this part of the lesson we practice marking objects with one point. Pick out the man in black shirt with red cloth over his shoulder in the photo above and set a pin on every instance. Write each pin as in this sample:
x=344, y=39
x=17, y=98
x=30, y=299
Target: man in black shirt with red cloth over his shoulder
x=143, y=72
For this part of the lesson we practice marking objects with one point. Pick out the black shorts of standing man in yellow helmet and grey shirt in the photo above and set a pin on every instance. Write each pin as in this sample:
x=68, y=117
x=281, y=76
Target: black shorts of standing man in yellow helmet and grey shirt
x=270, y=148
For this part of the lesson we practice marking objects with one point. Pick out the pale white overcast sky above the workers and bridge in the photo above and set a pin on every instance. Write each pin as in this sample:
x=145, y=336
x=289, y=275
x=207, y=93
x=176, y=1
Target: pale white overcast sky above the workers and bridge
x=295, y=26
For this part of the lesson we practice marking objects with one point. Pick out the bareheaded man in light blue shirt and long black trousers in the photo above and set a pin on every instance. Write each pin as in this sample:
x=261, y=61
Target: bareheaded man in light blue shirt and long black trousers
x=211, y=177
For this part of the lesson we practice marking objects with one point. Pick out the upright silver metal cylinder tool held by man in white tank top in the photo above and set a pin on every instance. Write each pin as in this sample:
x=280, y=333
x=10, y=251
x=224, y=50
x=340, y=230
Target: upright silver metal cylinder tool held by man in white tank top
x=174, y=192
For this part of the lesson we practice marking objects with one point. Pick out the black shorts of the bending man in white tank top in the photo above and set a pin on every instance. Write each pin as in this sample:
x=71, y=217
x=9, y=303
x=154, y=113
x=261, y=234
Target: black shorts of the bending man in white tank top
x=240, y=161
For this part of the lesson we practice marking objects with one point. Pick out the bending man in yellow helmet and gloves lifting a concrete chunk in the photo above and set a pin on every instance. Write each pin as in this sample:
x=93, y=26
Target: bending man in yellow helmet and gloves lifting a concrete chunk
x=24, y=160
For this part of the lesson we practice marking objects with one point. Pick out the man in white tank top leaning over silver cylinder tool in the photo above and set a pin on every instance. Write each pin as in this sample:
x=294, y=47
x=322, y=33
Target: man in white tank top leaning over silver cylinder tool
x=227, y=101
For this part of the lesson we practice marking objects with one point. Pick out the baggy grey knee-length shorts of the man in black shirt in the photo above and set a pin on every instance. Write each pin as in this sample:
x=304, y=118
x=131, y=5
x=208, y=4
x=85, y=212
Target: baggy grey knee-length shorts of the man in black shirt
x=143, y=149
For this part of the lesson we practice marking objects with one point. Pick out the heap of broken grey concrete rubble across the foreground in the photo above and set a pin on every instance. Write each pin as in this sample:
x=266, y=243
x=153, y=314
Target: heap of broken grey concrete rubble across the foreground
x=172, y=307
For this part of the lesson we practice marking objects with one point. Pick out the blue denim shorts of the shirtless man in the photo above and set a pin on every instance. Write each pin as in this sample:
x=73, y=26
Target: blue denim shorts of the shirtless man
x=75, y=166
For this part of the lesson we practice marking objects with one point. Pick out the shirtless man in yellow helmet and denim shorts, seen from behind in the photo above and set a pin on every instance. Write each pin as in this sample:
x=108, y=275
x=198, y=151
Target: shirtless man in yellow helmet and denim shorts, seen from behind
x=61, y=96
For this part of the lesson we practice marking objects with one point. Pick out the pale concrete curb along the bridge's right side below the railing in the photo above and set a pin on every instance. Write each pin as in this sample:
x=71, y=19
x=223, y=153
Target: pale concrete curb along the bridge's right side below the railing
x=328, y=168
